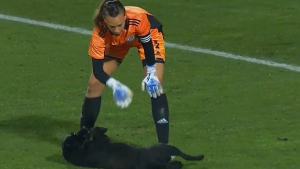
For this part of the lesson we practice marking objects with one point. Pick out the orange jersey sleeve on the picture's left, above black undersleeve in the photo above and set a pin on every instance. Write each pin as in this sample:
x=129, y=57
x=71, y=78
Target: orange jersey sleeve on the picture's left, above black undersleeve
x=96, y=46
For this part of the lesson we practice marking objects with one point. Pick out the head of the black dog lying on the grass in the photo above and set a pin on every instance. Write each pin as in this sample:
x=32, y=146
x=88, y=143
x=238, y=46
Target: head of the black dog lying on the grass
x=73, y=141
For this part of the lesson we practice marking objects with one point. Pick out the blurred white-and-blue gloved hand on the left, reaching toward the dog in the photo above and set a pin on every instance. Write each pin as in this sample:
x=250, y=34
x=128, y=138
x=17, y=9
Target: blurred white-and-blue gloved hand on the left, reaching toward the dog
x=121, y=93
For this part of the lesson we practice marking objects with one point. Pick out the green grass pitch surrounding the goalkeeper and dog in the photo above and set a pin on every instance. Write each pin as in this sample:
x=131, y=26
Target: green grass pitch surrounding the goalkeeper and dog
x=231, y=111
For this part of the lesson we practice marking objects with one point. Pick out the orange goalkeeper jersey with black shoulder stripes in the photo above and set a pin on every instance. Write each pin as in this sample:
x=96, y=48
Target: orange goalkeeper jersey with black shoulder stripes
x=138, y=24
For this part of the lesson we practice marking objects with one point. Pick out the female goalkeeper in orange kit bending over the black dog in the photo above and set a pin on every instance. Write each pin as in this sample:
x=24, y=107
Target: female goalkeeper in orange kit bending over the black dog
x=117, y=29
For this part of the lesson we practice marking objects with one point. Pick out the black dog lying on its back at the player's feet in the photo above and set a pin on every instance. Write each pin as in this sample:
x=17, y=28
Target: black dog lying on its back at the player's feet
x=94, y=149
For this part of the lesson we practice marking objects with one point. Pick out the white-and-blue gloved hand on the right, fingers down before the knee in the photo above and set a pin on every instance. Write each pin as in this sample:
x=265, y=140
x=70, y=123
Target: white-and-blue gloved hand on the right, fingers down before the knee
x=151, y=83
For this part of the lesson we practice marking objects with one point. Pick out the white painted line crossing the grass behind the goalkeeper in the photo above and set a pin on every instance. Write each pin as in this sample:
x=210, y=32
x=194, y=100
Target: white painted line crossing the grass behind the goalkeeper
x=168, y=44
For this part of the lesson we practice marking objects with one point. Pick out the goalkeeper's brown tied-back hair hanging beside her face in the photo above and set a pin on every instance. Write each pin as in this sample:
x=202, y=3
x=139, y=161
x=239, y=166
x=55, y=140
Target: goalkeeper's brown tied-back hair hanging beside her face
x=110, y=8
